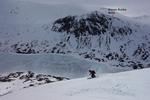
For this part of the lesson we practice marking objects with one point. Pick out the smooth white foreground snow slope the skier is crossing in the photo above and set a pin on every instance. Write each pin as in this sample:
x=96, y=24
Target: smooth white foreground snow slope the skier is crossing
x=132, y=85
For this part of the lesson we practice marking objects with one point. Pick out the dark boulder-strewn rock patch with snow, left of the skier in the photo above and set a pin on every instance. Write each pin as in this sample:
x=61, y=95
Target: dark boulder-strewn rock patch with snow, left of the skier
x=30, y=79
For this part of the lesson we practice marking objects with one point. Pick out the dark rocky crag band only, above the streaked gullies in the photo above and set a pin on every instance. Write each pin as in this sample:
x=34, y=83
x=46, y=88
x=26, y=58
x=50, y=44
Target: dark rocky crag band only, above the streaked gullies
x=94, y=23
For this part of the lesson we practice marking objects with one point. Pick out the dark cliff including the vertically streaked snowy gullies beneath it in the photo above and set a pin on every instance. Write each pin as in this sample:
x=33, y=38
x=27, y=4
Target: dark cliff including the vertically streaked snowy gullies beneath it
x=84, y=28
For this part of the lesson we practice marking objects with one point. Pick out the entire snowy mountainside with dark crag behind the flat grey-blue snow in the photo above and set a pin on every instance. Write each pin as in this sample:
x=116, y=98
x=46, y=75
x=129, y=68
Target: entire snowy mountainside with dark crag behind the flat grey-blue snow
x=31, y=27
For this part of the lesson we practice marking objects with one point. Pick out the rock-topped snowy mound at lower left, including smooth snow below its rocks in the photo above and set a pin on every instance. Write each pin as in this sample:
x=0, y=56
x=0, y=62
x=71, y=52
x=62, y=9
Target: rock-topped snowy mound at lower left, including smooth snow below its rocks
x=22, y=80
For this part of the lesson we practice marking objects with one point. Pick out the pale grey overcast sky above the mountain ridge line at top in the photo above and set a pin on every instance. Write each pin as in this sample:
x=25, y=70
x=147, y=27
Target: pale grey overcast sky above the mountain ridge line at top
x=134, y=7
